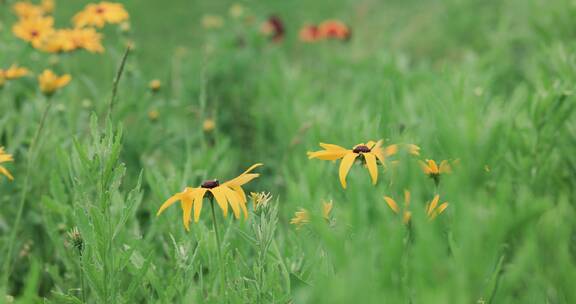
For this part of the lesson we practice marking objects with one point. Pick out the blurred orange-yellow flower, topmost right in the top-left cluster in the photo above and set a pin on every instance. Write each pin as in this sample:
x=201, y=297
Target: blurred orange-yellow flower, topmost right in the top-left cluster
x=99, y=14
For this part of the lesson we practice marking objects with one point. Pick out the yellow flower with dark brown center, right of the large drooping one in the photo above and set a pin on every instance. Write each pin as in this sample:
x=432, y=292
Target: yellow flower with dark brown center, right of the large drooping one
x=368, y=153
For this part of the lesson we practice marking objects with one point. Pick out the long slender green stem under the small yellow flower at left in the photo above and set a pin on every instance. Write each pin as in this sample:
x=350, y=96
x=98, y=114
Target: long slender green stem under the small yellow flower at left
x=30, y=158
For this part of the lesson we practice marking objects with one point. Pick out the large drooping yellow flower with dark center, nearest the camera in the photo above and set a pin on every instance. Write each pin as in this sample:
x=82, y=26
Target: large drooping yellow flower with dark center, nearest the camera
x=228, y=193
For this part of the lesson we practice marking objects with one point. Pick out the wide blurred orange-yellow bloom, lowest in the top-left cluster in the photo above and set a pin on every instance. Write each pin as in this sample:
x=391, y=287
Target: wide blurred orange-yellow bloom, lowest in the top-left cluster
x=68, y=40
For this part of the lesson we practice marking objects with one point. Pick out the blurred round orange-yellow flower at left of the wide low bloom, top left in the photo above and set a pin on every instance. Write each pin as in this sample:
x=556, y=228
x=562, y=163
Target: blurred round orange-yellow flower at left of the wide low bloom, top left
x=34, y=30
